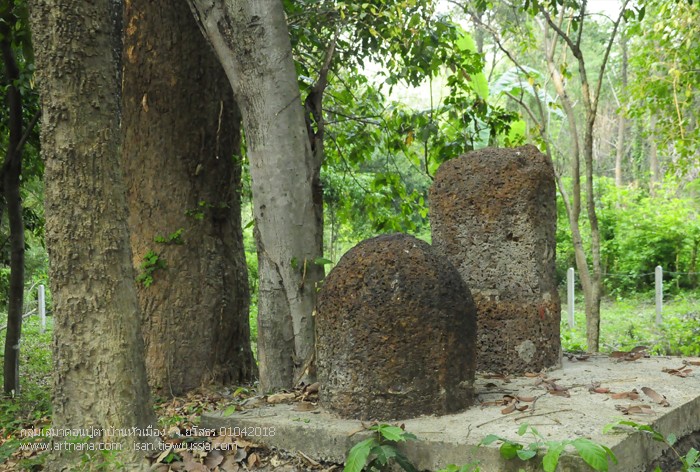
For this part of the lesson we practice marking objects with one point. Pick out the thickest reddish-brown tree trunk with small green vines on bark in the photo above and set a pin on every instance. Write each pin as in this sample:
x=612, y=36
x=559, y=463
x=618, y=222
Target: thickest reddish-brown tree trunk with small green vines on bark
x=182, y=129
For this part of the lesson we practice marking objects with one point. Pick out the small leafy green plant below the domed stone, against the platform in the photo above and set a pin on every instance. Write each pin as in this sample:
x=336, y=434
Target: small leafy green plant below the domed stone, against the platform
x=375, y=453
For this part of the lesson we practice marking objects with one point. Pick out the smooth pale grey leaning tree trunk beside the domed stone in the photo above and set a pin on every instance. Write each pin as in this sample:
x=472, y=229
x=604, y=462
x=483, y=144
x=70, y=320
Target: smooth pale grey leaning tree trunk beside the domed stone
x=252, y=42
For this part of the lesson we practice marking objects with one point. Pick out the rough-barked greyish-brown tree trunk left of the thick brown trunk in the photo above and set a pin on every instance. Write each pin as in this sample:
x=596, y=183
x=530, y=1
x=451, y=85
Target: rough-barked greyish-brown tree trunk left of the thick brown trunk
x=99, y=373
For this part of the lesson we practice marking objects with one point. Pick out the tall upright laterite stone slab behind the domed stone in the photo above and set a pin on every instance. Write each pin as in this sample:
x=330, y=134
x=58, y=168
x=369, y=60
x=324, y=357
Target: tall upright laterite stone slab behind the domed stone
x=493, y=215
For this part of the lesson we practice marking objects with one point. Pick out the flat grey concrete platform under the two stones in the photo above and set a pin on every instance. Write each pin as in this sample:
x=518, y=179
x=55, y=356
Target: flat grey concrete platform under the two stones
x=454, y=439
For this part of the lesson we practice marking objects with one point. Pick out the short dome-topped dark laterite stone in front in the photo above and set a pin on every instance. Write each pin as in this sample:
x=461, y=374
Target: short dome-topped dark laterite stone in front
x=395, y=333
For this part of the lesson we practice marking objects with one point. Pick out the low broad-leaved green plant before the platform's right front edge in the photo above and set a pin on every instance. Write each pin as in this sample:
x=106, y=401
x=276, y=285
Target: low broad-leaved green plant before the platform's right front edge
x=595, y=455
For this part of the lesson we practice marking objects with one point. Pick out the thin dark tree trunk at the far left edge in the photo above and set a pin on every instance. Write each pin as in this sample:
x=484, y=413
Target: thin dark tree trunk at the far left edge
x=11, y=173
